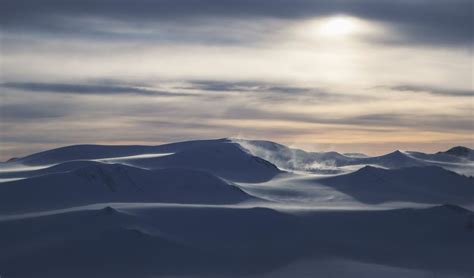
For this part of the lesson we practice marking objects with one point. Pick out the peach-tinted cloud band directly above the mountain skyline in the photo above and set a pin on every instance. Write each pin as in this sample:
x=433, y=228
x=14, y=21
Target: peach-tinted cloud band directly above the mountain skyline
x=49, y=121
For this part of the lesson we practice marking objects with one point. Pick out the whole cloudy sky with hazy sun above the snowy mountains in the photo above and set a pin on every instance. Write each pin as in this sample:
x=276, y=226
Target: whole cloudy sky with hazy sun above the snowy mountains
x=367, y=76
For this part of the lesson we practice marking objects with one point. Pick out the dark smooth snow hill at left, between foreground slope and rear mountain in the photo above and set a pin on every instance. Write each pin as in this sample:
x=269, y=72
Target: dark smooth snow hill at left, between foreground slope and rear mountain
x=95, y=182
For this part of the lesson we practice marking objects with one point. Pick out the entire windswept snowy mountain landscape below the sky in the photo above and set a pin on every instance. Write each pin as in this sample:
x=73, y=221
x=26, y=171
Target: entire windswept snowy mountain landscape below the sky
x=236, y=208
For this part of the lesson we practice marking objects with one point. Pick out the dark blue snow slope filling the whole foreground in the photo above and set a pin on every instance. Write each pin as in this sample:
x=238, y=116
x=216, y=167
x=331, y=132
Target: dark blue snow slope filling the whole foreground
x=235, y=242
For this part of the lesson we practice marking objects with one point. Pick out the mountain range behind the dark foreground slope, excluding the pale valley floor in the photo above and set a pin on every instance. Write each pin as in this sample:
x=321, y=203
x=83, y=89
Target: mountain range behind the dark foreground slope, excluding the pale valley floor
x=205, y=172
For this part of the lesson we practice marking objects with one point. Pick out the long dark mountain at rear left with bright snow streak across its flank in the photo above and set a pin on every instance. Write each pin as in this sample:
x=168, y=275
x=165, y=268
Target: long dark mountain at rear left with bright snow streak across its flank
x=220, y=157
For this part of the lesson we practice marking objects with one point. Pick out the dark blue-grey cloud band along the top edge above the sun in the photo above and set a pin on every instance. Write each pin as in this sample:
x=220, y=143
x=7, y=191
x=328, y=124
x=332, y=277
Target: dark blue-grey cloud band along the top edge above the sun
x=422, y=21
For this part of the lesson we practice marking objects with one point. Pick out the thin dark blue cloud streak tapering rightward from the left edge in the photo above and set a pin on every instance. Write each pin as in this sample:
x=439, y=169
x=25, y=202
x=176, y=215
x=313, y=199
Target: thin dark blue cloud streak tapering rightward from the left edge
x=63, y=88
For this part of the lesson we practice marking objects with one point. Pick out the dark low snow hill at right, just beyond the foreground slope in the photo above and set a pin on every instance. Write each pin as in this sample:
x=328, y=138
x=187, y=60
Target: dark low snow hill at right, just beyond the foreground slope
x=429, y=184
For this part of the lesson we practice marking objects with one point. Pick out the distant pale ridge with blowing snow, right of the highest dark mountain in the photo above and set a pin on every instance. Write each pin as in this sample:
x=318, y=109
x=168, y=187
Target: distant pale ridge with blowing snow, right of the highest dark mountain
x=457, y=159
